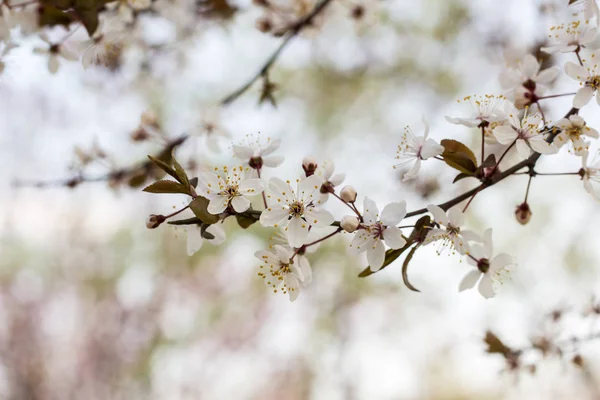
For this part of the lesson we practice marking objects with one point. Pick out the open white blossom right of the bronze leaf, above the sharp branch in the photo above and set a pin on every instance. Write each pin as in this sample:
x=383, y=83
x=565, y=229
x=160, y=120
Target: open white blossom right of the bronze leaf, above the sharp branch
x=525, y=131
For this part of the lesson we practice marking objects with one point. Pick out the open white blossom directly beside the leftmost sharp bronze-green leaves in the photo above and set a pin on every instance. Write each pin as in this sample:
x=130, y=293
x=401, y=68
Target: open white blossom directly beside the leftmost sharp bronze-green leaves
x=229, y=187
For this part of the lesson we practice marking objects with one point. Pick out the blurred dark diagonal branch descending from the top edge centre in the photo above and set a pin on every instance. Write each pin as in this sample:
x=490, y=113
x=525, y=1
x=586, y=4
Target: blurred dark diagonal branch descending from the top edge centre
x=289, y=33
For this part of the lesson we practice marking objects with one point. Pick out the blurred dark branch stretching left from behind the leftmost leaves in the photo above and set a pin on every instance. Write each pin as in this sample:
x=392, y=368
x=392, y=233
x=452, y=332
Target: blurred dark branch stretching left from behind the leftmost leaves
x=115, y=175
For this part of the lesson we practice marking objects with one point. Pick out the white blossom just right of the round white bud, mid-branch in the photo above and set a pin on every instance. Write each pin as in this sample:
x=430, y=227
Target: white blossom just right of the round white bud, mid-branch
x=375, y=230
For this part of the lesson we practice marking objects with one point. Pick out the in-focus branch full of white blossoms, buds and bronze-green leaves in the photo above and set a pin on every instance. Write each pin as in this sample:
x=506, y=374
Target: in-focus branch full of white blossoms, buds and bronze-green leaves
x=297, y=207
